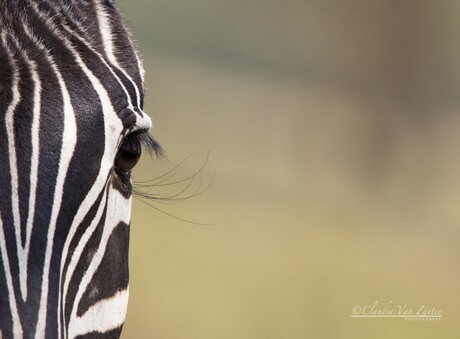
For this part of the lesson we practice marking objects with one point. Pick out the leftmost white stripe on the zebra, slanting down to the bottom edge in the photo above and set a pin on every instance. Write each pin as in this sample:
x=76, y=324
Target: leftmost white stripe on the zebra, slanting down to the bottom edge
x=17, y=329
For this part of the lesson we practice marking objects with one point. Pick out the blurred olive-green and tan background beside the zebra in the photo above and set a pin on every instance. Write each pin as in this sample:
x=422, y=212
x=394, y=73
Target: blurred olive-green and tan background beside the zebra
x=334, y=170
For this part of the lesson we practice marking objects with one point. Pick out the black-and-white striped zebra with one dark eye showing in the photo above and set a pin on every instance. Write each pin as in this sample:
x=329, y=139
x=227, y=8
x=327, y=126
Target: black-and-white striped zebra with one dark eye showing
x=71, y=130
